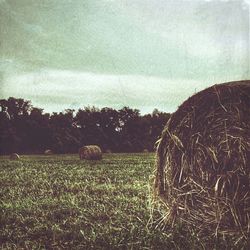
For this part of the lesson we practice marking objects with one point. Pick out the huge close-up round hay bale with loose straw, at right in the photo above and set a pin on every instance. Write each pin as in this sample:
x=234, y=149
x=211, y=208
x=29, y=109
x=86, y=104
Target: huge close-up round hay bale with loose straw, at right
x=203, y=158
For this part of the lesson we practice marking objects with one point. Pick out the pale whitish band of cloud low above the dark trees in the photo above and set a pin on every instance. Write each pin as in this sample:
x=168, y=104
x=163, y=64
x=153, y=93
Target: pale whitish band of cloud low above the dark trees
x=56, y=90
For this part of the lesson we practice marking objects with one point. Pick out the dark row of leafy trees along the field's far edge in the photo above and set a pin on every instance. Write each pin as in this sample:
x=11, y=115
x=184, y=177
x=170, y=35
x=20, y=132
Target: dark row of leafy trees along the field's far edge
x=27, y=129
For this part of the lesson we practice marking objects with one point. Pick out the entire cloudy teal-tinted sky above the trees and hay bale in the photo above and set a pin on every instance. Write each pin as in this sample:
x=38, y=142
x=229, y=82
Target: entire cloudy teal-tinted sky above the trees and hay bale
x=144, y=54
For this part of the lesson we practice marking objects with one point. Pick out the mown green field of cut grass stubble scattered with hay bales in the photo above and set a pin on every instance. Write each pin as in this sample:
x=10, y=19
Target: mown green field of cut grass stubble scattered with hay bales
x=60, y=202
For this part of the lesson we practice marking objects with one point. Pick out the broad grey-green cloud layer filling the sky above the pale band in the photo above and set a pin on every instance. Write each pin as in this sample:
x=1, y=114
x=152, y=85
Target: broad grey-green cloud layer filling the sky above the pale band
x=190, y=39
